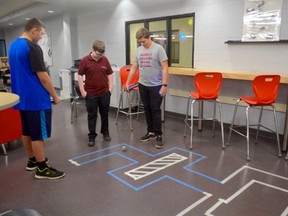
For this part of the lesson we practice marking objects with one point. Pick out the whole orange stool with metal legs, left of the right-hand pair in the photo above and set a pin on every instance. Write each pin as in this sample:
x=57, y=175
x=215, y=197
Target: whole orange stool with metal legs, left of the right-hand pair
x=207, y=89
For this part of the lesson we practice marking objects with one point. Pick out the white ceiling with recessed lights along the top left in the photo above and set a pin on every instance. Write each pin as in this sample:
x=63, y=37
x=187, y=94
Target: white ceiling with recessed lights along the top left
x=16, y=11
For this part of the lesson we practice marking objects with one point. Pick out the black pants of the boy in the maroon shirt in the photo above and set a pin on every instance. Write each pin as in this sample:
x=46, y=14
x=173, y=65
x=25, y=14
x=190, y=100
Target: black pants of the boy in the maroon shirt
x=92, y=104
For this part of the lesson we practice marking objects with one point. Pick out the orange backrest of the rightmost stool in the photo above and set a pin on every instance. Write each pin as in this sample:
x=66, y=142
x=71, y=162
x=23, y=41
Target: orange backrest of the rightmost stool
x=266, y=88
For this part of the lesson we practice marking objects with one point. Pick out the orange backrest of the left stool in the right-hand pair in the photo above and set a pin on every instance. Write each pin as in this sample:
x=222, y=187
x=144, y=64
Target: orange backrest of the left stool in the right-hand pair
x=208, y=85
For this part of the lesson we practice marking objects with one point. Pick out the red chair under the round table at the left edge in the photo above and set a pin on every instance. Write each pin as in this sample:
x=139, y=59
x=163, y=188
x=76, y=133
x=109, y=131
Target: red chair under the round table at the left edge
x=10, y=126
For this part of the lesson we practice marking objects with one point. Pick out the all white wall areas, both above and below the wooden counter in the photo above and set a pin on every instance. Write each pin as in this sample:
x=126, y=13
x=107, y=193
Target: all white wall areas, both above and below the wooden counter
x=216, y=21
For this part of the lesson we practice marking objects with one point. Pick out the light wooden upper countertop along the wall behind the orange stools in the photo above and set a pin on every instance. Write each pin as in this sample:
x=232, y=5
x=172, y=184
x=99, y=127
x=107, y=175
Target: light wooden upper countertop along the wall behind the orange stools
x=236, y=75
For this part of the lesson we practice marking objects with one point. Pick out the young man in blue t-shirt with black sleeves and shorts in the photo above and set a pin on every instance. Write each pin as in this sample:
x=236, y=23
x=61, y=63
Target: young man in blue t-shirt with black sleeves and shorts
x=30, y=80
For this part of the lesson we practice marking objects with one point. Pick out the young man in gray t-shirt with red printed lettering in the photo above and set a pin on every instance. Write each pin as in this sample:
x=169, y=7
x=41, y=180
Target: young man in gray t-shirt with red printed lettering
x=152, y=61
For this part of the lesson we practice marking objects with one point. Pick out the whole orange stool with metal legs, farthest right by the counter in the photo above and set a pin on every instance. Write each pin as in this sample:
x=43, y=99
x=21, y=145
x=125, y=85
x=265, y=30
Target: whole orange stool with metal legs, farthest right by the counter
x=265, y=88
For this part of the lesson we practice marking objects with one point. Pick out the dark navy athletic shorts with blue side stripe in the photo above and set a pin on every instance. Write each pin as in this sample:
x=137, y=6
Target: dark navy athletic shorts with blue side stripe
x=36, y=124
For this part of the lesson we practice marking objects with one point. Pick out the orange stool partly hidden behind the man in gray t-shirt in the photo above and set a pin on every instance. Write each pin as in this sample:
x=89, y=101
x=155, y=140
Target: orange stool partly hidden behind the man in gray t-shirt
x=124, y=72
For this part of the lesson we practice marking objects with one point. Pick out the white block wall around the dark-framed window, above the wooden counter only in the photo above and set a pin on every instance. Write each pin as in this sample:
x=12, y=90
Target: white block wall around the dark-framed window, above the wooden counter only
x=216, y=22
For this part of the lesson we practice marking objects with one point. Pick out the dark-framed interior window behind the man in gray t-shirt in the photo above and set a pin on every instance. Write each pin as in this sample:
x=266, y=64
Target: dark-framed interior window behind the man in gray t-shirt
x=174, y=33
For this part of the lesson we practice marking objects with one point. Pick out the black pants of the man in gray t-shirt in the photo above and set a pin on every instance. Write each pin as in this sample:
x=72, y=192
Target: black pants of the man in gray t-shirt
x=152, y=100
